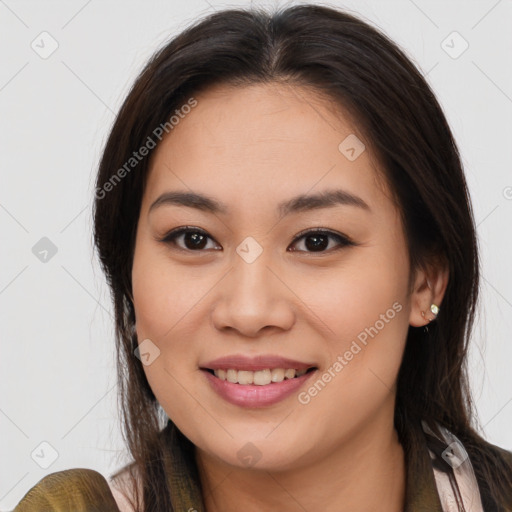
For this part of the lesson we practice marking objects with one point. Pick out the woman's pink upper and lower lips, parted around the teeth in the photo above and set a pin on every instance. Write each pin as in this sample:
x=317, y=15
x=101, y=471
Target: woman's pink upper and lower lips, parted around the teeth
x=250, y=395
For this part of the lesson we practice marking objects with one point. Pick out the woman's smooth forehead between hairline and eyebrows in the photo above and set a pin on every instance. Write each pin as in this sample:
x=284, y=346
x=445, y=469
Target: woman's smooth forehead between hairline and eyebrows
x=265, y=141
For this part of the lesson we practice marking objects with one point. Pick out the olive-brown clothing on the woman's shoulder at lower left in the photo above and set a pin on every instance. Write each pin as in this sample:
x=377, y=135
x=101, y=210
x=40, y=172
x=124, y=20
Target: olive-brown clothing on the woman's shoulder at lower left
x=77, y=489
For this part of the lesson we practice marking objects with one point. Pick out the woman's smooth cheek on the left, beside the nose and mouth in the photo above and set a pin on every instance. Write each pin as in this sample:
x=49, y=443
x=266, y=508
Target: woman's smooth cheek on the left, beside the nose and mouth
x=167, y=304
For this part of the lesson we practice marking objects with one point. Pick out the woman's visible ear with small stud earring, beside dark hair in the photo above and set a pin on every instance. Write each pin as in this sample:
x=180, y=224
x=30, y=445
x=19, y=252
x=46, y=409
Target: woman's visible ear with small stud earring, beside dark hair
x=429, y=288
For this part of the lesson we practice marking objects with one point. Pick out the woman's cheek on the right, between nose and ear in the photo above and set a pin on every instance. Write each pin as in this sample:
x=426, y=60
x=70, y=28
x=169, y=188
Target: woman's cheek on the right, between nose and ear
x=365, y=308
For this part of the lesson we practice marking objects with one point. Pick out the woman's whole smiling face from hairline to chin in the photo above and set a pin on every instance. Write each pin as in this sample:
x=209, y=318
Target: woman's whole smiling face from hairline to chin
x=254, y=289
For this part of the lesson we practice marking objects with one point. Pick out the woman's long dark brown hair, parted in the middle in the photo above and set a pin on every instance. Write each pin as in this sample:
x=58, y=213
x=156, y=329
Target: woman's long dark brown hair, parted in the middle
x=355, y=65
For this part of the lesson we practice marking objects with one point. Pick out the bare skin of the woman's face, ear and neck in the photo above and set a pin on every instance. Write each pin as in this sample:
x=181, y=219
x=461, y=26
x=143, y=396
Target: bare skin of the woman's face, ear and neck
x=251, y=148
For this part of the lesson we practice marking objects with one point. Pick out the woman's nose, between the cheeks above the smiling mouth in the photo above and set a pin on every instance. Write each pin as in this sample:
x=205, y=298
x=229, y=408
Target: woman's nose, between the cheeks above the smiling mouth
x=252, y=299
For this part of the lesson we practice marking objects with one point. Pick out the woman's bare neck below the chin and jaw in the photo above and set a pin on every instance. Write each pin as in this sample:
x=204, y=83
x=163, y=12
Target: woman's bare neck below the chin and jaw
x=365, y=473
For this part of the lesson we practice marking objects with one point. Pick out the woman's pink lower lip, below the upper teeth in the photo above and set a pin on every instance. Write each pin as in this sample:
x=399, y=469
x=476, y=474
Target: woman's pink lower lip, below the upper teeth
x=250, y=395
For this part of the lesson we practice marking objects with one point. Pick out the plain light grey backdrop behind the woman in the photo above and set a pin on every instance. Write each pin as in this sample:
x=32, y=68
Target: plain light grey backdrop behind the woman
x=56, y=366
